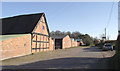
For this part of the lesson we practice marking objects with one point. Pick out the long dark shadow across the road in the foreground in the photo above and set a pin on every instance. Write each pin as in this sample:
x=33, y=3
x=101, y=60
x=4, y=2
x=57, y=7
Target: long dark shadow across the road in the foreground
x=65, y=63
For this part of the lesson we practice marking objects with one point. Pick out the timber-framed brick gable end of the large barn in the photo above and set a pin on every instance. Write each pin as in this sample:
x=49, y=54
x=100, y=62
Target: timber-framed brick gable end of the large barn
x=41, y=28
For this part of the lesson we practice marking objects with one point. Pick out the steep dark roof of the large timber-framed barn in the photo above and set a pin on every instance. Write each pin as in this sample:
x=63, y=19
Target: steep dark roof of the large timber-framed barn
x=22, y=24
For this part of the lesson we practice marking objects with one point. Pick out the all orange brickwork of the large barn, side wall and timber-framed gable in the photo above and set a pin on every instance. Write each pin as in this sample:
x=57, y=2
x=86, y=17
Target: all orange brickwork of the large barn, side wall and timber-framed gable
x=21, y=45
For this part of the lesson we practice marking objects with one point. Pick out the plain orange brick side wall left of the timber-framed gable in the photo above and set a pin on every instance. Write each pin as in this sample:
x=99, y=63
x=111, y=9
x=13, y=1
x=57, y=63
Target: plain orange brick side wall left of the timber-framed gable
x=15, y=47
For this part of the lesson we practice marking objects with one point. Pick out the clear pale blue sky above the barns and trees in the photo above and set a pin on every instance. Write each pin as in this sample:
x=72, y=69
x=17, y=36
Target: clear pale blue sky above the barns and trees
x=86, y=17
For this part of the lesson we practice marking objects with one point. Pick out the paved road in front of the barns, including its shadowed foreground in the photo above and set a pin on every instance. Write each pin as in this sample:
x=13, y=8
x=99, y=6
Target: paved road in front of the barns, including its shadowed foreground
x=73, y=58
